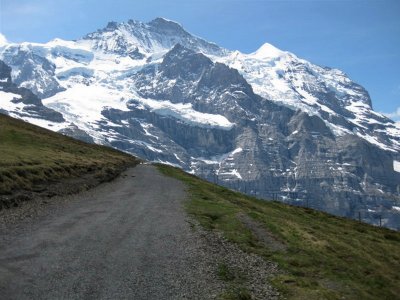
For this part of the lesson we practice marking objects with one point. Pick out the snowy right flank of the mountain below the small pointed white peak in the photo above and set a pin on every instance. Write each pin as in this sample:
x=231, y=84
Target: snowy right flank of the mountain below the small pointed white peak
x=344, y=105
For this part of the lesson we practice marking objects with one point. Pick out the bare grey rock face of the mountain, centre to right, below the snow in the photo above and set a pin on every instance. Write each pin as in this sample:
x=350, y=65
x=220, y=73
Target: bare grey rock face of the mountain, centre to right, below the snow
x=271, y=145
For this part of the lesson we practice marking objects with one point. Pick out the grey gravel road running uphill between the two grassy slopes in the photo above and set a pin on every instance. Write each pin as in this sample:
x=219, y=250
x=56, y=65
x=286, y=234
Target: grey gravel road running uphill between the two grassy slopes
x=127, y=239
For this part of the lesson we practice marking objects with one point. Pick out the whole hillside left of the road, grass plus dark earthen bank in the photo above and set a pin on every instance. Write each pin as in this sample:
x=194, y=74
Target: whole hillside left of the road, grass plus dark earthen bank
x=36, y=160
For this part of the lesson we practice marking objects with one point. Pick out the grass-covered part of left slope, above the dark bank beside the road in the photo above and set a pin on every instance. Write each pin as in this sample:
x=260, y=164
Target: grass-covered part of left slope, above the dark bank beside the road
x=32, y=155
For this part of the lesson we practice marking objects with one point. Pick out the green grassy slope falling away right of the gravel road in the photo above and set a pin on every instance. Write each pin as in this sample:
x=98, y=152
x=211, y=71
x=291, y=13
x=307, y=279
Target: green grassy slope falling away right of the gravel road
x=326, y=257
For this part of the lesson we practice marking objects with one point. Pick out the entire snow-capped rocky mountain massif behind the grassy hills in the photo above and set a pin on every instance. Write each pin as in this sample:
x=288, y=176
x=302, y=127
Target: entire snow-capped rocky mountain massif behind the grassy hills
x=266, y=123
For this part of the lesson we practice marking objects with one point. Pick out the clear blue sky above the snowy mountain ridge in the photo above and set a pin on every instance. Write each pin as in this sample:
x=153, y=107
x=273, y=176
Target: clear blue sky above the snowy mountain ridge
x=360, y=37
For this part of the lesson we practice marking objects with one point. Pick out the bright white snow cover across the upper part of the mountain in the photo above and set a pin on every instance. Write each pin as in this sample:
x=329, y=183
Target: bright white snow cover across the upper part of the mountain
x=93, y=68
